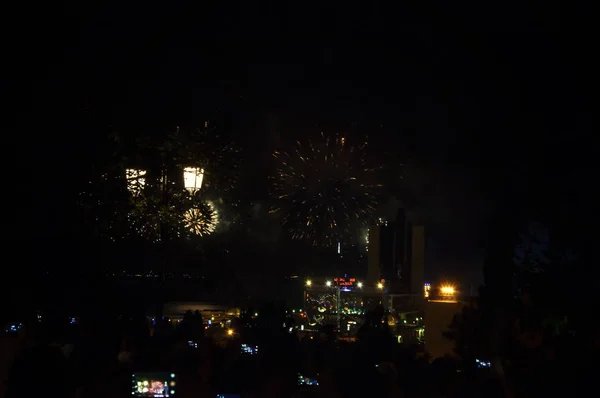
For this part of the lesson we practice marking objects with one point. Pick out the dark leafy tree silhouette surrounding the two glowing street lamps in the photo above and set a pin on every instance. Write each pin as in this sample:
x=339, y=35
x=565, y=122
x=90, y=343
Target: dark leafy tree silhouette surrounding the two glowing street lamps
x=159, y=208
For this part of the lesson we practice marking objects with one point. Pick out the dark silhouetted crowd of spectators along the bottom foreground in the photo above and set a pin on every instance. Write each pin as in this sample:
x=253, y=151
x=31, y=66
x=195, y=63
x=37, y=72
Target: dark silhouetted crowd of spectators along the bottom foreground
x=95, y=356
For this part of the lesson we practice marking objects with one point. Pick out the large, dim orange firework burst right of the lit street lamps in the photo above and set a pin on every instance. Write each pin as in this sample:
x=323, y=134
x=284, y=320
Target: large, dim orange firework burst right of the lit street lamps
x=324, y=190
